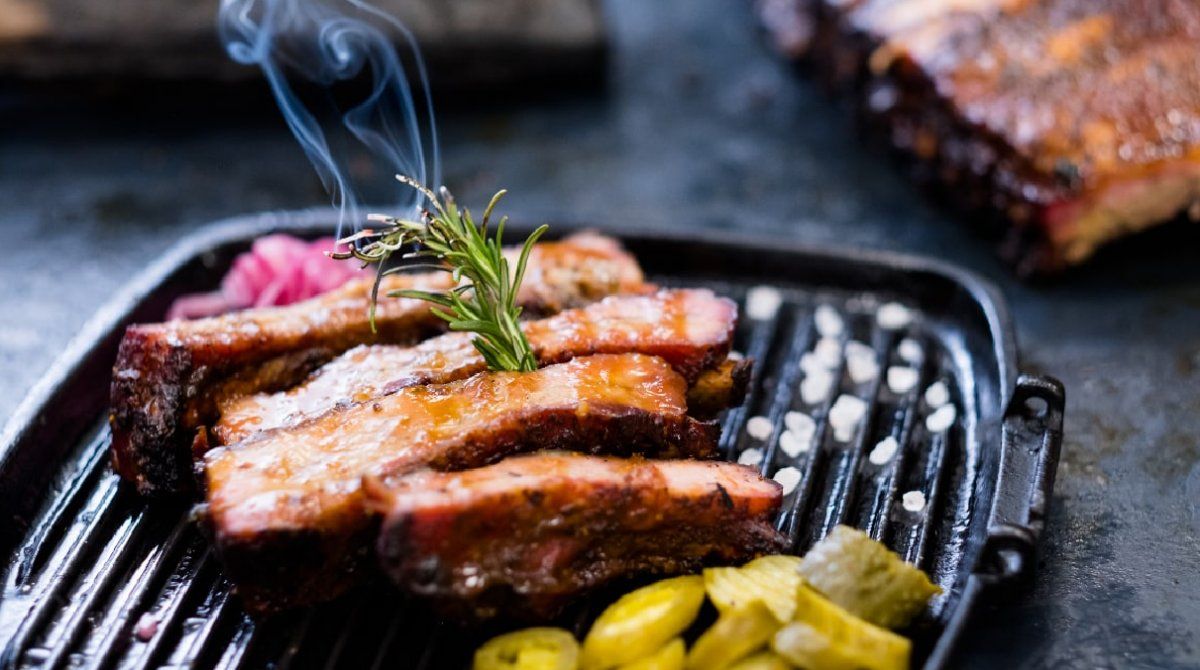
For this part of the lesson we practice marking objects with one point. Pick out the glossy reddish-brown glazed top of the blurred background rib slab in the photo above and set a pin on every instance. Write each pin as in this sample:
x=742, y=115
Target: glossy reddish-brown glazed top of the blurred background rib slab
x=1106, y=88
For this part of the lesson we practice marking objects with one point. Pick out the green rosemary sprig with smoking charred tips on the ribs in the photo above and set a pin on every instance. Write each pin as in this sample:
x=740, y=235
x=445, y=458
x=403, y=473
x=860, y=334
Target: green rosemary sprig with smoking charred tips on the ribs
x=484, y=300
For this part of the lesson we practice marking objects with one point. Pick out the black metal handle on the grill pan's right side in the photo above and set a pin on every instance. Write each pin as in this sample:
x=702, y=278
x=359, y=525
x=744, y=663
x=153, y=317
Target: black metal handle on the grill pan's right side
x=1031, y=442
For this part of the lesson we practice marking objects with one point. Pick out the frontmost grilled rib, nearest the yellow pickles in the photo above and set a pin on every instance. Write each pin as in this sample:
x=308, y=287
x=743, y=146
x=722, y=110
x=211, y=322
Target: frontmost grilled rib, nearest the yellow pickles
x=530, y=534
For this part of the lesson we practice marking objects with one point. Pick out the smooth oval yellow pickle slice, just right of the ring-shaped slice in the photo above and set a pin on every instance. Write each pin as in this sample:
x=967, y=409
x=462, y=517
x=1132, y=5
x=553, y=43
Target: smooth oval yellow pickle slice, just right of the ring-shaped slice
x=643, y=621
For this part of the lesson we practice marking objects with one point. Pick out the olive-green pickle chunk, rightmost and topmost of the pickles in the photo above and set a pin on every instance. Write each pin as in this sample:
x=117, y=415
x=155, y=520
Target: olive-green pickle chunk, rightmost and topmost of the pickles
x=867, y=578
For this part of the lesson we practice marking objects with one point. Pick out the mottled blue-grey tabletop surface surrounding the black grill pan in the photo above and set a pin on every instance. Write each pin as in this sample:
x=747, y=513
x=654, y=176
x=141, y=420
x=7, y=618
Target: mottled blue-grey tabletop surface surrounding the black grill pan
x=699, y=127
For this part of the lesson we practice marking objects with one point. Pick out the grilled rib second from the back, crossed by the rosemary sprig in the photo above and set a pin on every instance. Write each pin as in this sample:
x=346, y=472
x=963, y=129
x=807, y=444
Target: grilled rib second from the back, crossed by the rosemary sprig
x=691, y=330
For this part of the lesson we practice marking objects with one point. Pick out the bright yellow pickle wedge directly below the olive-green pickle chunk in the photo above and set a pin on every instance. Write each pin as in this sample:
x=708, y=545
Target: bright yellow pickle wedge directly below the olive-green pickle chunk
x=827, y=637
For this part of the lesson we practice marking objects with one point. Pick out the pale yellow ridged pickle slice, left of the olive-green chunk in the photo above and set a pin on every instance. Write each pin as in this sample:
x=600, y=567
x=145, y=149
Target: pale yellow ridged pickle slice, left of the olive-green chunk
x=771, y=579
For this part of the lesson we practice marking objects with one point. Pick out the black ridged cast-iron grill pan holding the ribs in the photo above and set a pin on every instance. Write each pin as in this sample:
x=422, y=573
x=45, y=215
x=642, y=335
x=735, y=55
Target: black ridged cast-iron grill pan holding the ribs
x=99, y=578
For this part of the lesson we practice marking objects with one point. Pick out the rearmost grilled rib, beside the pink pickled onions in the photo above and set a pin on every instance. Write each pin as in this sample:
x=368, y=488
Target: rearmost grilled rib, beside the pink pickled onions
x=170, y=378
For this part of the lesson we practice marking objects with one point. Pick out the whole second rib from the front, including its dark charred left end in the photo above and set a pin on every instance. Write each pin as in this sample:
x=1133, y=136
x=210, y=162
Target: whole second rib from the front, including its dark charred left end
x=287, y=510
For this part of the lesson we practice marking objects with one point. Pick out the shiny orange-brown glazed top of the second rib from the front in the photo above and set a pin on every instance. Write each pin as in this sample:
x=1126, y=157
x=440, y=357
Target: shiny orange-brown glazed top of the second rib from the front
x=309, y=477
